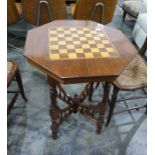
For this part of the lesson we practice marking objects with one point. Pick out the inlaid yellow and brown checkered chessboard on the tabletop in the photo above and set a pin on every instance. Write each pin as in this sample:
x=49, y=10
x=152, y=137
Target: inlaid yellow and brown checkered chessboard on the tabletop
x=79, y=43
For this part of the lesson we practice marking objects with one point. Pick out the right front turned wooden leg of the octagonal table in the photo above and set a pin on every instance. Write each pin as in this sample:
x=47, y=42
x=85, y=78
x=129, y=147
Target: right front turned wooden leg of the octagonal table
x=102, y=106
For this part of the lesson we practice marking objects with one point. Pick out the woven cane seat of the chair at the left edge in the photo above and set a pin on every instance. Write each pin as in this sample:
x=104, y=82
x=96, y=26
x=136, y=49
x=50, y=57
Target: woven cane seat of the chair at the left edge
x=11, y=70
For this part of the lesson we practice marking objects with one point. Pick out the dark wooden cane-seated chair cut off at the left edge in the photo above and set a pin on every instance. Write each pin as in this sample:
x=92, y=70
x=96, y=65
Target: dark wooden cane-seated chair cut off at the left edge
x=14, y=74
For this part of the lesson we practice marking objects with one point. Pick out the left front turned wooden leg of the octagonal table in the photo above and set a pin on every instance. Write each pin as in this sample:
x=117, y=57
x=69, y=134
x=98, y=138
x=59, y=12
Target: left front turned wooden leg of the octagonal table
x=54, y=109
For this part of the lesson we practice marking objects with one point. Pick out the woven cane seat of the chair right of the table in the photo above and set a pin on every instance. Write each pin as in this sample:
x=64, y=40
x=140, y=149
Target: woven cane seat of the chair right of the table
x=134, y=76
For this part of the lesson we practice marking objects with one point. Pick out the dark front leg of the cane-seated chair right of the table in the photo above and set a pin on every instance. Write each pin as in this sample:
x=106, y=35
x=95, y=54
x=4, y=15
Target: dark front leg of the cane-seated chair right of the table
x=112, y=104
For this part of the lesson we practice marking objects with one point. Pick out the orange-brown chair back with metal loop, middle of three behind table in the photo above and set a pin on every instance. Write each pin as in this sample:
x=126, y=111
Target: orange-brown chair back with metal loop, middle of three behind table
x=38, y=12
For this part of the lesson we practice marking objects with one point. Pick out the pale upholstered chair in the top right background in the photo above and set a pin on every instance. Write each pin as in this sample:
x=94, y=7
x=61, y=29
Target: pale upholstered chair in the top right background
x=131, y=7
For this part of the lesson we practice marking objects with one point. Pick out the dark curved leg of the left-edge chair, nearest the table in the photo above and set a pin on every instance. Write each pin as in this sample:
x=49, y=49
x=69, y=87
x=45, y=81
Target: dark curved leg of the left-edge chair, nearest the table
x=20, y=85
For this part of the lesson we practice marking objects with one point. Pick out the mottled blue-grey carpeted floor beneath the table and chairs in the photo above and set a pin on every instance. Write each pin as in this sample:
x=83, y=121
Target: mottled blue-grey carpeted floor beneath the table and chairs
x=29, y=123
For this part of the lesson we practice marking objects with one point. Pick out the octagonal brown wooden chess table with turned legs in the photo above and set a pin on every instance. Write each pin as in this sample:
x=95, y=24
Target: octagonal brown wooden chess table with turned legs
x=74, y=51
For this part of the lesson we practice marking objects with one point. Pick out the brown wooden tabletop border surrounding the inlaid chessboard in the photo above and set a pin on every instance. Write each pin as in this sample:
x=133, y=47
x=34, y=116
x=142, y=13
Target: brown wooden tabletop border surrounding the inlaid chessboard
x=81, y=70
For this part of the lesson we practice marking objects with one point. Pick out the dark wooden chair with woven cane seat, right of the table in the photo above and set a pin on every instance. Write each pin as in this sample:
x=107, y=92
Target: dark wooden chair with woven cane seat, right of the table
x=134, y=77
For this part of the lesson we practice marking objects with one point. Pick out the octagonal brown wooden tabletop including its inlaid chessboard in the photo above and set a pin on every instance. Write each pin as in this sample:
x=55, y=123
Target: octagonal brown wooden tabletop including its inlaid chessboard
x=76, y=51
